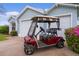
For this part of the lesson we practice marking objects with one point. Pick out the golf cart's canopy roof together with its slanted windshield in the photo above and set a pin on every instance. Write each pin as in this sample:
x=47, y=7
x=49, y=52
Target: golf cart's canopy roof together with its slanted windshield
x=42, y=19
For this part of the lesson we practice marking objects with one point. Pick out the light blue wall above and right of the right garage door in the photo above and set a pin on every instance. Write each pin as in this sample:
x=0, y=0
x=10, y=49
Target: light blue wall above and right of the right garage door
x=60, y=11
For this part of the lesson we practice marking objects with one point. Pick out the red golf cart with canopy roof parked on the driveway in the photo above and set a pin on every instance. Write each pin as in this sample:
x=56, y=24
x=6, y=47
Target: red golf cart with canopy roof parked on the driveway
x=47, y=37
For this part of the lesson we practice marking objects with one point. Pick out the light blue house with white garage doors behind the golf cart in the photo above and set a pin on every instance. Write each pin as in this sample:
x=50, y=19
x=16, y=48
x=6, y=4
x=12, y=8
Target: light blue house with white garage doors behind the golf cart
x=67, y=13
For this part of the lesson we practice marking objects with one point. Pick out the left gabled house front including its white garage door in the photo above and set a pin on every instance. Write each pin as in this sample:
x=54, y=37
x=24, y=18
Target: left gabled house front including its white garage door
x=24, y=21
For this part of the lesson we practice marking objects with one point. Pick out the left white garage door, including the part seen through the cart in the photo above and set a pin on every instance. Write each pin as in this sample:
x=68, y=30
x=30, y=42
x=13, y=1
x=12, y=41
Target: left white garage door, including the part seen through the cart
x=24, y=28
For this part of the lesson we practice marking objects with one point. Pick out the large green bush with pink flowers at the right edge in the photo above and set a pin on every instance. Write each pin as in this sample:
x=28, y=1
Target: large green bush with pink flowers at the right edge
x=72, y=38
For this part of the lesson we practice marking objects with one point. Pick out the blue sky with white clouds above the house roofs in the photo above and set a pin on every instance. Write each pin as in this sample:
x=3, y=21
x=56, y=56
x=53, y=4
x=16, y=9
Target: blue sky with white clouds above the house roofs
x=15, y=9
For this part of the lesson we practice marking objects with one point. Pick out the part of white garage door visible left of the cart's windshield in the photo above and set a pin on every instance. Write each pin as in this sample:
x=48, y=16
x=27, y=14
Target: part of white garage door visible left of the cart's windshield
x=24, y=28
